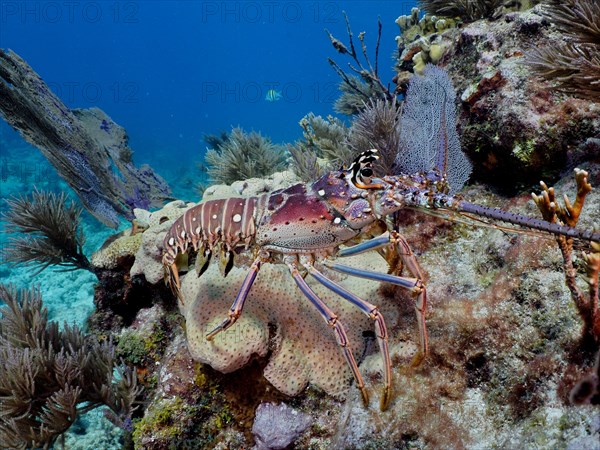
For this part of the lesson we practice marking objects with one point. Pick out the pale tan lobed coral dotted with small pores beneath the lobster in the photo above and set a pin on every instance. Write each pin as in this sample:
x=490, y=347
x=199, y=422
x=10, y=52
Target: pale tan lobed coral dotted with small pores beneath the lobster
x=279, y=320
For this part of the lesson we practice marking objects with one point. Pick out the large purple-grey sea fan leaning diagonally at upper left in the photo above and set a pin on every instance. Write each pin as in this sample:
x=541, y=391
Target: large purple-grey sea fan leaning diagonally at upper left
x=88, y=150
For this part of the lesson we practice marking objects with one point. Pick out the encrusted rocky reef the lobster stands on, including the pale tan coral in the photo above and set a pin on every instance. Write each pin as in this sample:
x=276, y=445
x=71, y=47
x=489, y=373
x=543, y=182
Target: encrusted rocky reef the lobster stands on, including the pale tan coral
x=505, y=347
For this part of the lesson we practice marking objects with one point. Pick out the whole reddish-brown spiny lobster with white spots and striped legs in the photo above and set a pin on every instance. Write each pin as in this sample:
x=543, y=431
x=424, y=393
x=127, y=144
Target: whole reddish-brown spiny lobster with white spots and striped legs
x=305, y=226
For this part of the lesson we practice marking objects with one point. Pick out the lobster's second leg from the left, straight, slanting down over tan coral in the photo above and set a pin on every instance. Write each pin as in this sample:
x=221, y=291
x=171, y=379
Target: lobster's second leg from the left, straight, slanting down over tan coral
x=332, y=321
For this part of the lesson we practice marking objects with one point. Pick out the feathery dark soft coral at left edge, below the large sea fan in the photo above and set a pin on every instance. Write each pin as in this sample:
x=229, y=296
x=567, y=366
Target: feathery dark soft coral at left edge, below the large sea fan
x=50, y=232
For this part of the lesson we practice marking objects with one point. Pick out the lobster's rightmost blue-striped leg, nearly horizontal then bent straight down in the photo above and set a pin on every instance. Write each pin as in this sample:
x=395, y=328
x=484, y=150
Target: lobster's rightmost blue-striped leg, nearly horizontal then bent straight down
x=415, y=285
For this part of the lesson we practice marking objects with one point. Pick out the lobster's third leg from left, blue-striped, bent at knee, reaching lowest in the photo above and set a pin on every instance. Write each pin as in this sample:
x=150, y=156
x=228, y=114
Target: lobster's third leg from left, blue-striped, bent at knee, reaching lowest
x=380, y=329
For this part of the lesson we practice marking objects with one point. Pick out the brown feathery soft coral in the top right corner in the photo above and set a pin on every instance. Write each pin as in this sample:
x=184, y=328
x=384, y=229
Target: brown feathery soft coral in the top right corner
x=574, y=64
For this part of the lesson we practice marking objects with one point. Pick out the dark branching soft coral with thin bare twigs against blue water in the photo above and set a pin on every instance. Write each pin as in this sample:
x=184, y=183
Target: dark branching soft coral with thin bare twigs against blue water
x=358, y=89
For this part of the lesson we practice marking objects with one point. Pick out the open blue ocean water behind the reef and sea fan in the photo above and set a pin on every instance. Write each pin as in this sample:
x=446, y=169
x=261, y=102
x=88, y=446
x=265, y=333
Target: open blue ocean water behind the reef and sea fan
x=171, y=72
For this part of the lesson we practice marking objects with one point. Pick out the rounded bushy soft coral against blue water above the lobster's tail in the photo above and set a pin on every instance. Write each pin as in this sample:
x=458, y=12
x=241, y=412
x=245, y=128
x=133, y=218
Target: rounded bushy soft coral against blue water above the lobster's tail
x=244, y=155
